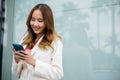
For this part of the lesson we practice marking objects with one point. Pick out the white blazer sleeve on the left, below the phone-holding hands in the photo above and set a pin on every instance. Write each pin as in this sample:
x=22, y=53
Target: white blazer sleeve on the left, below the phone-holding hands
x=16, y=68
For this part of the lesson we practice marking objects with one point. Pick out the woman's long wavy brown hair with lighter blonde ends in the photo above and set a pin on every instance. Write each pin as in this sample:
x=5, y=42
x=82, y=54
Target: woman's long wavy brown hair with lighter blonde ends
x=49, y=34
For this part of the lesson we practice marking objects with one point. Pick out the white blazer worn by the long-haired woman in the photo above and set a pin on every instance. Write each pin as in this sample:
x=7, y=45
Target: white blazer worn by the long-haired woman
x=48, y=65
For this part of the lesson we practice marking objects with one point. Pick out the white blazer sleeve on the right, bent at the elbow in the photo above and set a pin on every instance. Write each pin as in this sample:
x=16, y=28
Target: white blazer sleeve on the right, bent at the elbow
x=53, y=71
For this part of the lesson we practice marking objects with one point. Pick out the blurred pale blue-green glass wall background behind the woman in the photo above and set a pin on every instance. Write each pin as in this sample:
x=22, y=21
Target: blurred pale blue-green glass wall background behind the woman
x=90, y=30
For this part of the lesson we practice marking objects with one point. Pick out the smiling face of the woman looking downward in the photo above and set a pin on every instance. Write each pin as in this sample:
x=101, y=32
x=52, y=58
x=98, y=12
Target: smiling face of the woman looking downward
x=37, y=22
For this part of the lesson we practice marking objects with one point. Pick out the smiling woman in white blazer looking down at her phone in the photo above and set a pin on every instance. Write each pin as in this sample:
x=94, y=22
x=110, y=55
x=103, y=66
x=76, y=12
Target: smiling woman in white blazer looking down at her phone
x=42, y=58
